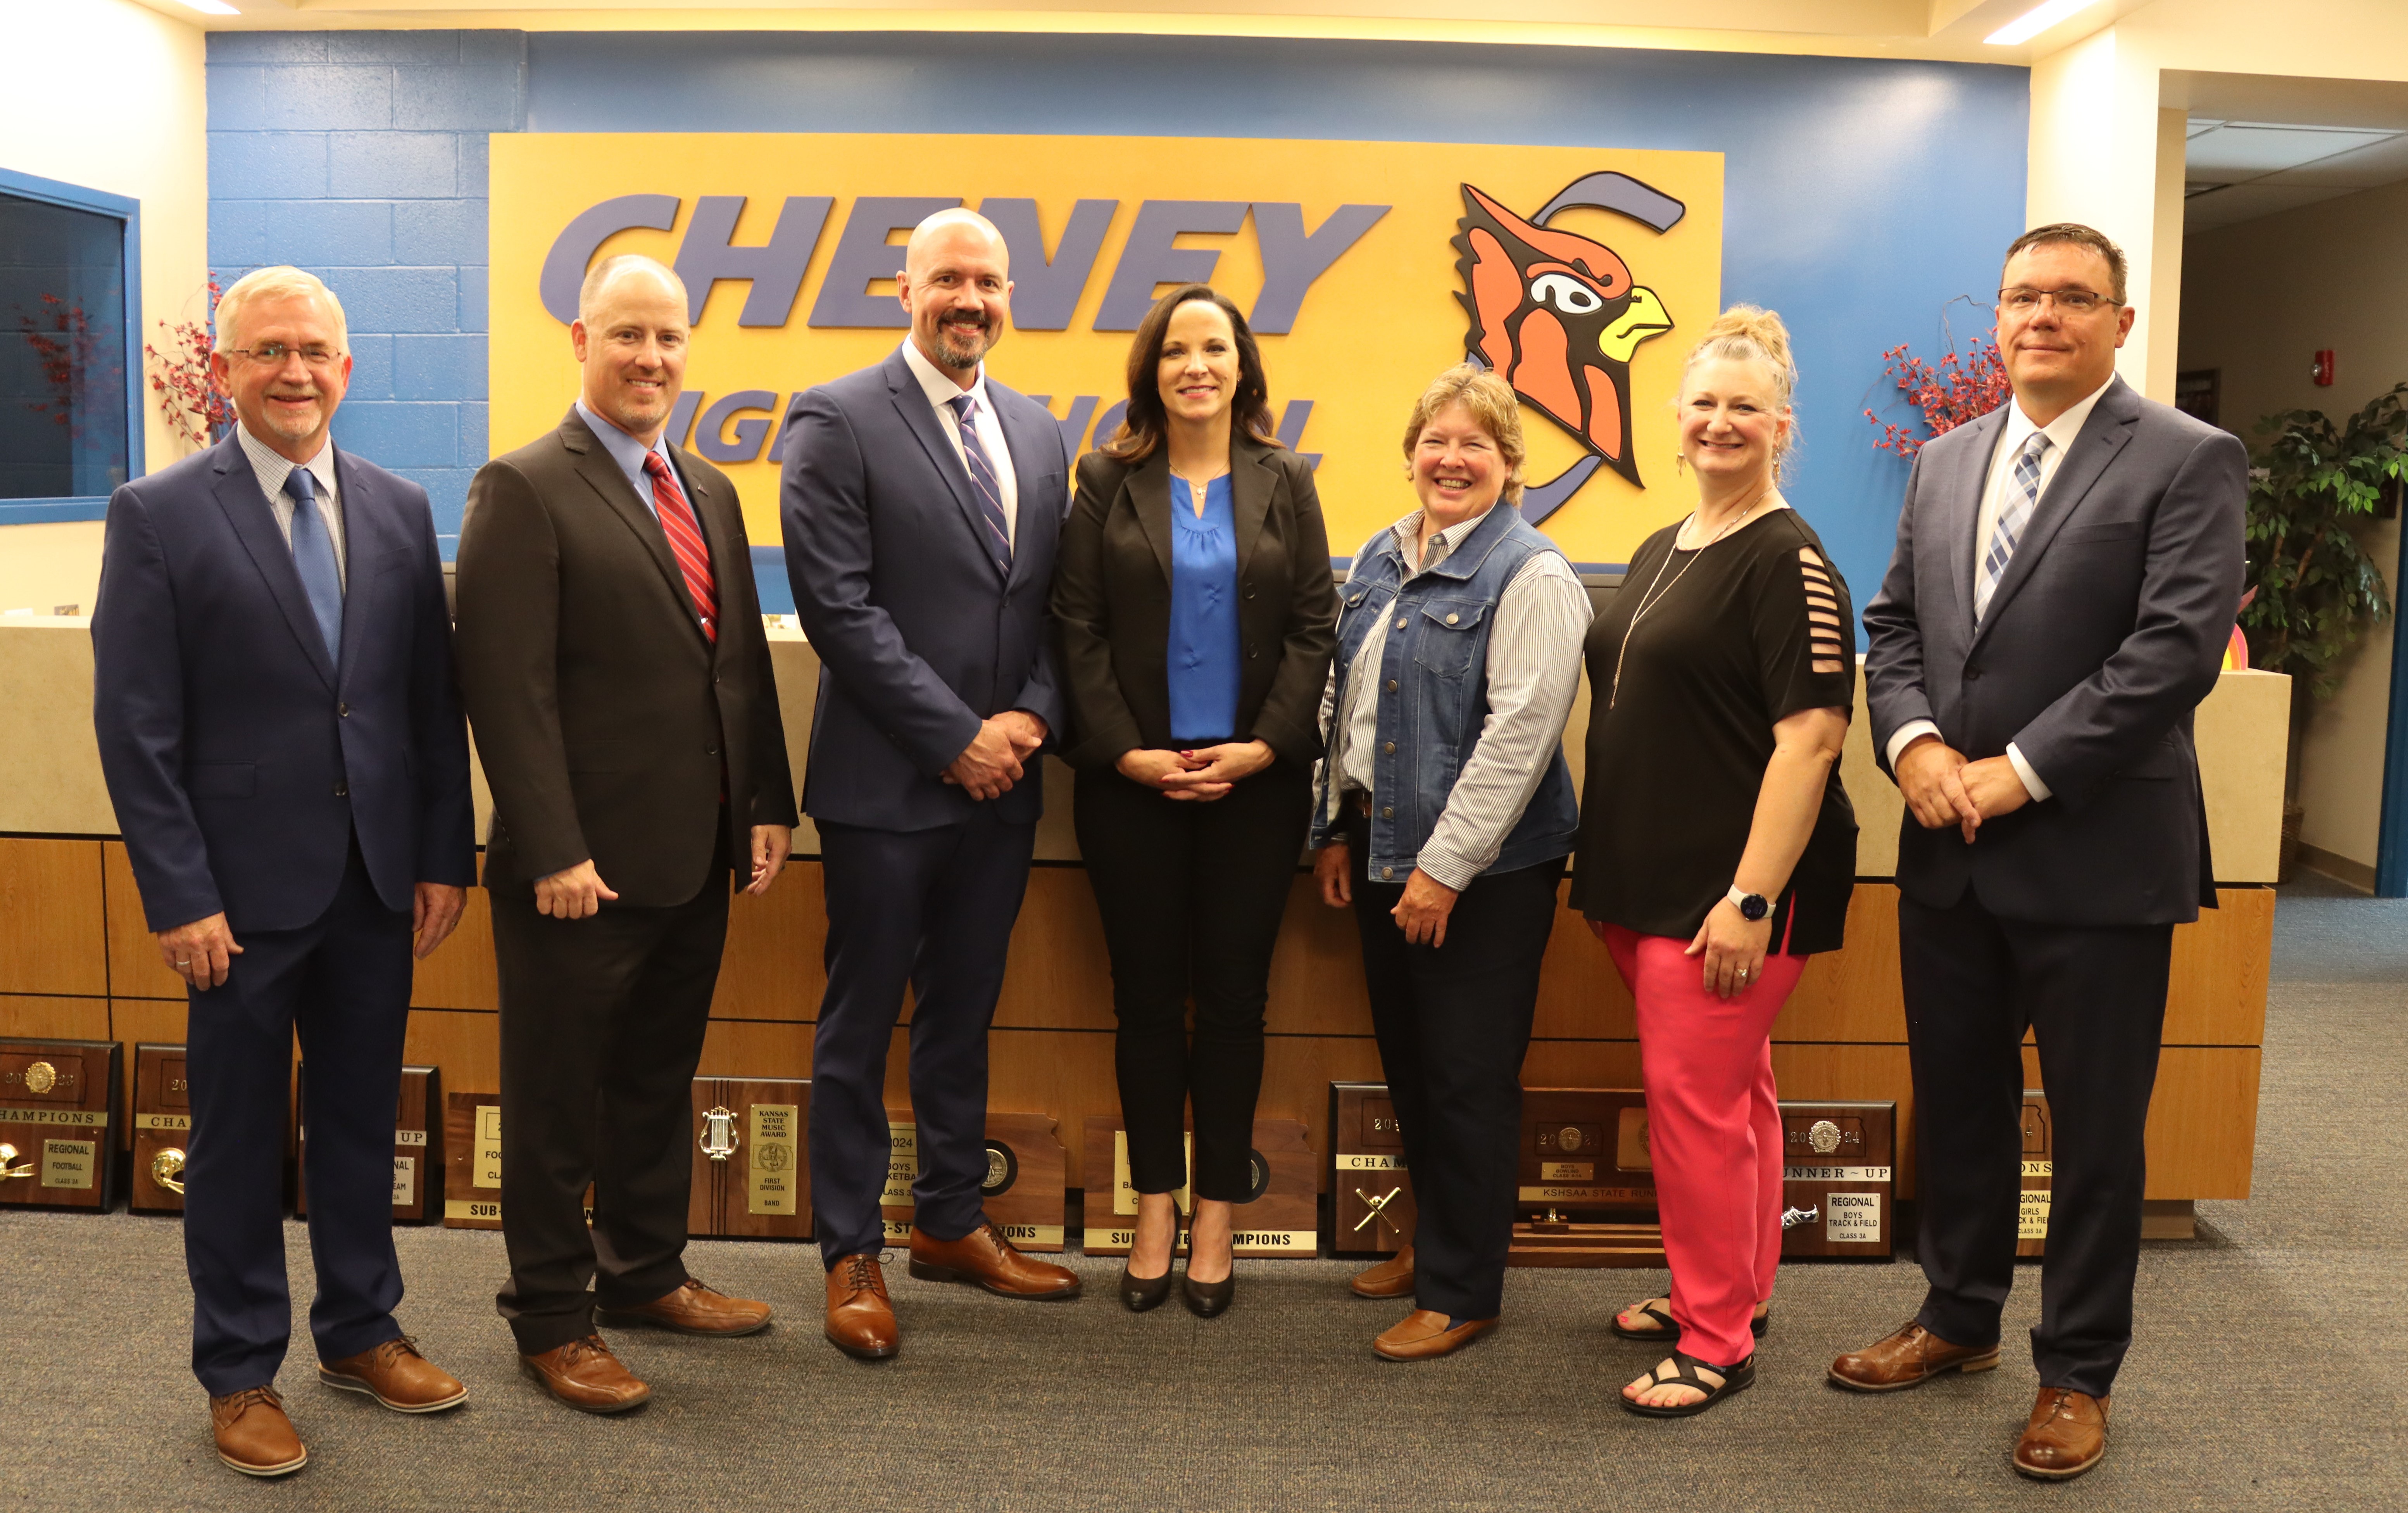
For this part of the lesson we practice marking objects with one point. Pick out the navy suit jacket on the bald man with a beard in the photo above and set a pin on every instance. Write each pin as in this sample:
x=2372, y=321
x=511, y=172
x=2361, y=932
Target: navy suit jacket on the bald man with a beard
x=919, y=635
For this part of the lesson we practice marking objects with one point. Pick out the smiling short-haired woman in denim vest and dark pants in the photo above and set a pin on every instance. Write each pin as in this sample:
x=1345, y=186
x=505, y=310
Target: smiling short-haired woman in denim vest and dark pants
x=1444, y=816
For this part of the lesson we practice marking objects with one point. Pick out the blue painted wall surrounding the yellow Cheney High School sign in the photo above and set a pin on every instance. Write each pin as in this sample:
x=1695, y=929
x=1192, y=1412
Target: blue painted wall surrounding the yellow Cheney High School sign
x=1860, y=196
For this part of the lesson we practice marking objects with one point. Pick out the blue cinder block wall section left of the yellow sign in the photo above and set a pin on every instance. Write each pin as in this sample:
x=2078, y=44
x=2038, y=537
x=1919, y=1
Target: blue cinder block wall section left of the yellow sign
x=362, y=155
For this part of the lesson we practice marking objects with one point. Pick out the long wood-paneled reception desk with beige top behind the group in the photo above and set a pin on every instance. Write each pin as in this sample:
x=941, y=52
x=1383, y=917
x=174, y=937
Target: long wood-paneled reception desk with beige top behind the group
x=78, y=962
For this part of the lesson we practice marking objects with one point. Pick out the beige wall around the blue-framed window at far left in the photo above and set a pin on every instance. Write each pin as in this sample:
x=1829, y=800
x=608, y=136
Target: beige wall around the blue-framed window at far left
x=117, y=102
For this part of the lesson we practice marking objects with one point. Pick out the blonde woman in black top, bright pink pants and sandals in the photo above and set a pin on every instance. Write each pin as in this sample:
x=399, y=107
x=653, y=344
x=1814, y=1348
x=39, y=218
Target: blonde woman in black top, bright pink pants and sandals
x=1716, y=842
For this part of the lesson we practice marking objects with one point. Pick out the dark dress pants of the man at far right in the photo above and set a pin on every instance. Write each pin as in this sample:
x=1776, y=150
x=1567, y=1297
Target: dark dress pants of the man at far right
x=2094, y=1001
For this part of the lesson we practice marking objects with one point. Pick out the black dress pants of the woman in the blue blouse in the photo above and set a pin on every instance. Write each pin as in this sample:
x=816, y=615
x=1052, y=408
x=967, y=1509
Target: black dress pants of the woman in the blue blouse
x=1191, y=900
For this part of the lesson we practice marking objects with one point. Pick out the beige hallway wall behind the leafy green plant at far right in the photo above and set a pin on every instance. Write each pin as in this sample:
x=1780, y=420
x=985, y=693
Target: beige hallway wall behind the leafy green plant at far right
x=2262, y=300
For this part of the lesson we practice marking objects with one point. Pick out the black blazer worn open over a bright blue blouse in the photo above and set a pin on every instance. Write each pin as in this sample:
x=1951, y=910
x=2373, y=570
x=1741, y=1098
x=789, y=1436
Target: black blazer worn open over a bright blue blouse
x=1114, y=604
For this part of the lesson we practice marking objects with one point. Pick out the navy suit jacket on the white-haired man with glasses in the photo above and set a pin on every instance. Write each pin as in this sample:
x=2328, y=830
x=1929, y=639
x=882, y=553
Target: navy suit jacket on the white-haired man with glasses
x=237, y=755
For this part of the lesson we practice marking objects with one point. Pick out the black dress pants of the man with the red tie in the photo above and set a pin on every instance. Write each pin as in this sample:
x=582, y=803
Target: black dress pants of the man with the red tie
x=601, y=1032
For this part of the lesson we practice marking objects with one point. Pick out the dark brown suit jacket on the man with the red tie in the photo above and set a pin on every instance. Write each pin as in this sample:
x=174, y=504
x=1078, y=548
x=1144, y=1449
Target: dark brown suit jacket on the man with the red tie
x=603, y=714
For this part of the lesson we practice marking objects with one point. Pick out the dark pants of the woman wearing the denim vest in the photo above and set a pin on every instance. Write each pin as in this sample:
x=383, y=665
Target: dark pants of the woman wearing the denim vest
x=1453, y=1028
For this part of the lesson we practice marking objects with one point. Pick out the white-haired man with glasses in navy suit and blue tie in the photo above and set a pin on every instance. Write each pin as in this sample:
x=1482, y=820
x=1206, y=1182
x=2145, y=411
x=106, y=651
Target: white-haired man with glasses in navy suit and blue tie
x=273, y=697
